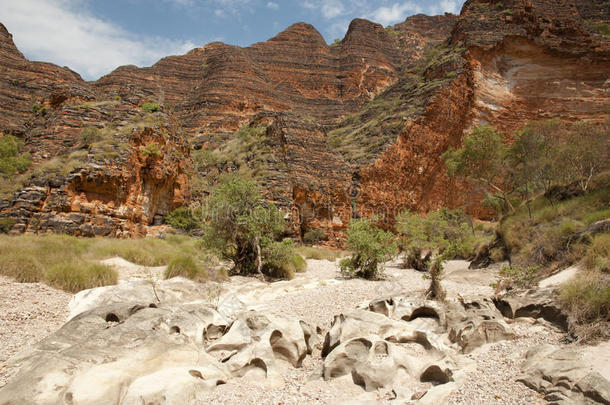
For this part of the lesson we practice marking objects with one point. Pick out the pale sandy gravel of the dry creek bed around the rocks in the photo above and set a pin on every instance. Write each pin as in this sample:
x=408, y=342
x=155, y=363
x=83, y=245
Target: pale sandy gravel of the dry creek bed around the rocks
x=29, y=312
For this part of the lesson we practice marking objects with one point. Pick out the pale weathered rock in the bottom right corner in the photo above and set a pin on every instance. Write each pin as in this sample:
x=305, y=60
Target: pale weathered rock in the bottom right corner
x=563, y=377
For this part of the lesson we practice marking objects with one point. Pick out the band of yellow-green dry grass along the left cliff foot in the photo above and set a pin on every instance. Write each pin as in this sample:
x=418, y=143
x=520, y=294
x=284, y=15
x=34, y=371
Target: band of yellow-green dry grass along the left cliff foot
x=71, y=263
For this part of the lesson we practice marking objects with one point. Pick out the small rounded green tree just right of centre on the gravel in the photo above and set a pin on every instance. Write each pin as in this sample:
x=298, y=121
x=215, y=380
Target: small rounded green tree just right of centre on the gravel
x=371, y=245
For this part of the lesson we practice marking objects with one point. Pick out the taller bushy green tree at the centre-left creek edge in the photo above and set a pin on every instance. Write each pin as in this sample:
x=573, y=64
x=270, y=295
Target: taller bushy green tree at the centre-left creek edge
x=240, y=226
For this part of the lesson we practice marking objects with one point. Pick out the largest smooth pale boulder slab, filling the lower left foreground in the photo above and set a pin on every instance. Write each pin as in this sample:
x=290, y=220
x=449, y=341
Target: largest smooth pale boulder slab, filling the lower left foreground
x=166, y=353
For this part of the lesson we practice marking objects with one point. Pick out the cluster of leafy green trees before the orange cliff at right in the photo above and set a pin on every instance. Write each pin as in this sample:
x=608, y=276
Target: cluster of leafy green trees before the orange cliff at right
x=543, y=154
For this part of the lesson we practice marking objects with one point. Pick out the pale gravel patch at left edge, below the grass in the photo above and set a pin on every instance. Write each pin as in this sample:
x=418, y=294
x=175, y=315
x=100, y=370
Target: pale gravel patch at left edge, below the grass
x=28, y=313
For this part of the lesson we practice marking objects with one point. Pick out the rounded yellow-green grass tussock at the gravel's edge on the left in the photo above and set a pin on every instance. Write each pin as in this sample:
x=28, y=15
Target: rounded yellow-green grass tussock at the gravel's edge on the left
x=77, y=276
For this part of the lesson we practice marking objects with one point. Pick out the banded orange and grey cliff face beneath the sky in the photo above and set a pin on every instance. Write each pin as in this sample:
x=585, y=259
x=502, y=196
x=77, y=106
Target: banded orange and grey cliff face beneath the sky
x=430, y=80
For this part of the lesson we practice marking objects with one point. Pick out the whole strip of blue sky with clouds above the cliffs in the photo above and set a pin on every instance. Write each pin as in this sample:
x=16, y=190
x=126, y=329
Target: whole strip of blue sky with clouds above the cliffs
x=93, y=37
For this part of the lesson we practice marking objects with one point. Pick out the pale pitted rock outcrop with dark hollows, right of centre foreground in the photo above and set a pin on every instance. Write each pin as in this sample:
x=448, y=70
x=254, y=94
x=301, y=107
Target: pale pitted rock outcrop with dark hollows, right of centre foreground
x=400, y=341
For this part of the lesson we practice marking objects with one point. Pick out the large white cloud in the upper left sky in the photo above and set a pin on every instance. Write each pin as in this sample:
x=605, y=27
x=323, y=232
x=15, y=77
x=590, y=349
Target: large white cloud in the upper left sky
x=62, y=32
